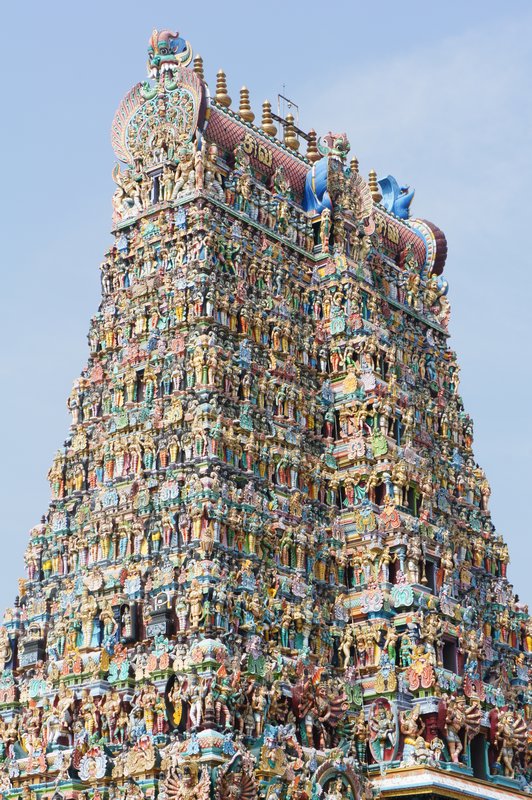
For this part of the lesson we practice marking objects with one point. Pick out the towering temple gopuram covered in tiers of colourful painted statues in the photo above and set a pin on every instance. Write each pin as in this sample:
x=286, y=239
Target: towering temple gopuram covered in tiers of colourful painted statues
x=268, y=569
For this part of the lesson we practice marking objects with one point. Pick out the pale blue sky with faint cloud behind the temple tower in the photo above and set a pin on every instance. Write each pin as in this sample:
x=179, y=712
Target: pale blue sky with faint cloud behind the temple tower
x=437, y=94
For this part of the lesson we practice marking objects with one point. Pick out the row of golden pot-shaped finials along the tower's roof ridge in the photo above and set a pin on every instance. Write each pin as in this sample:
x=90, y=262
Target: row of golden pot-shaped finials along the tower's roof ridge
x=290, y=136
